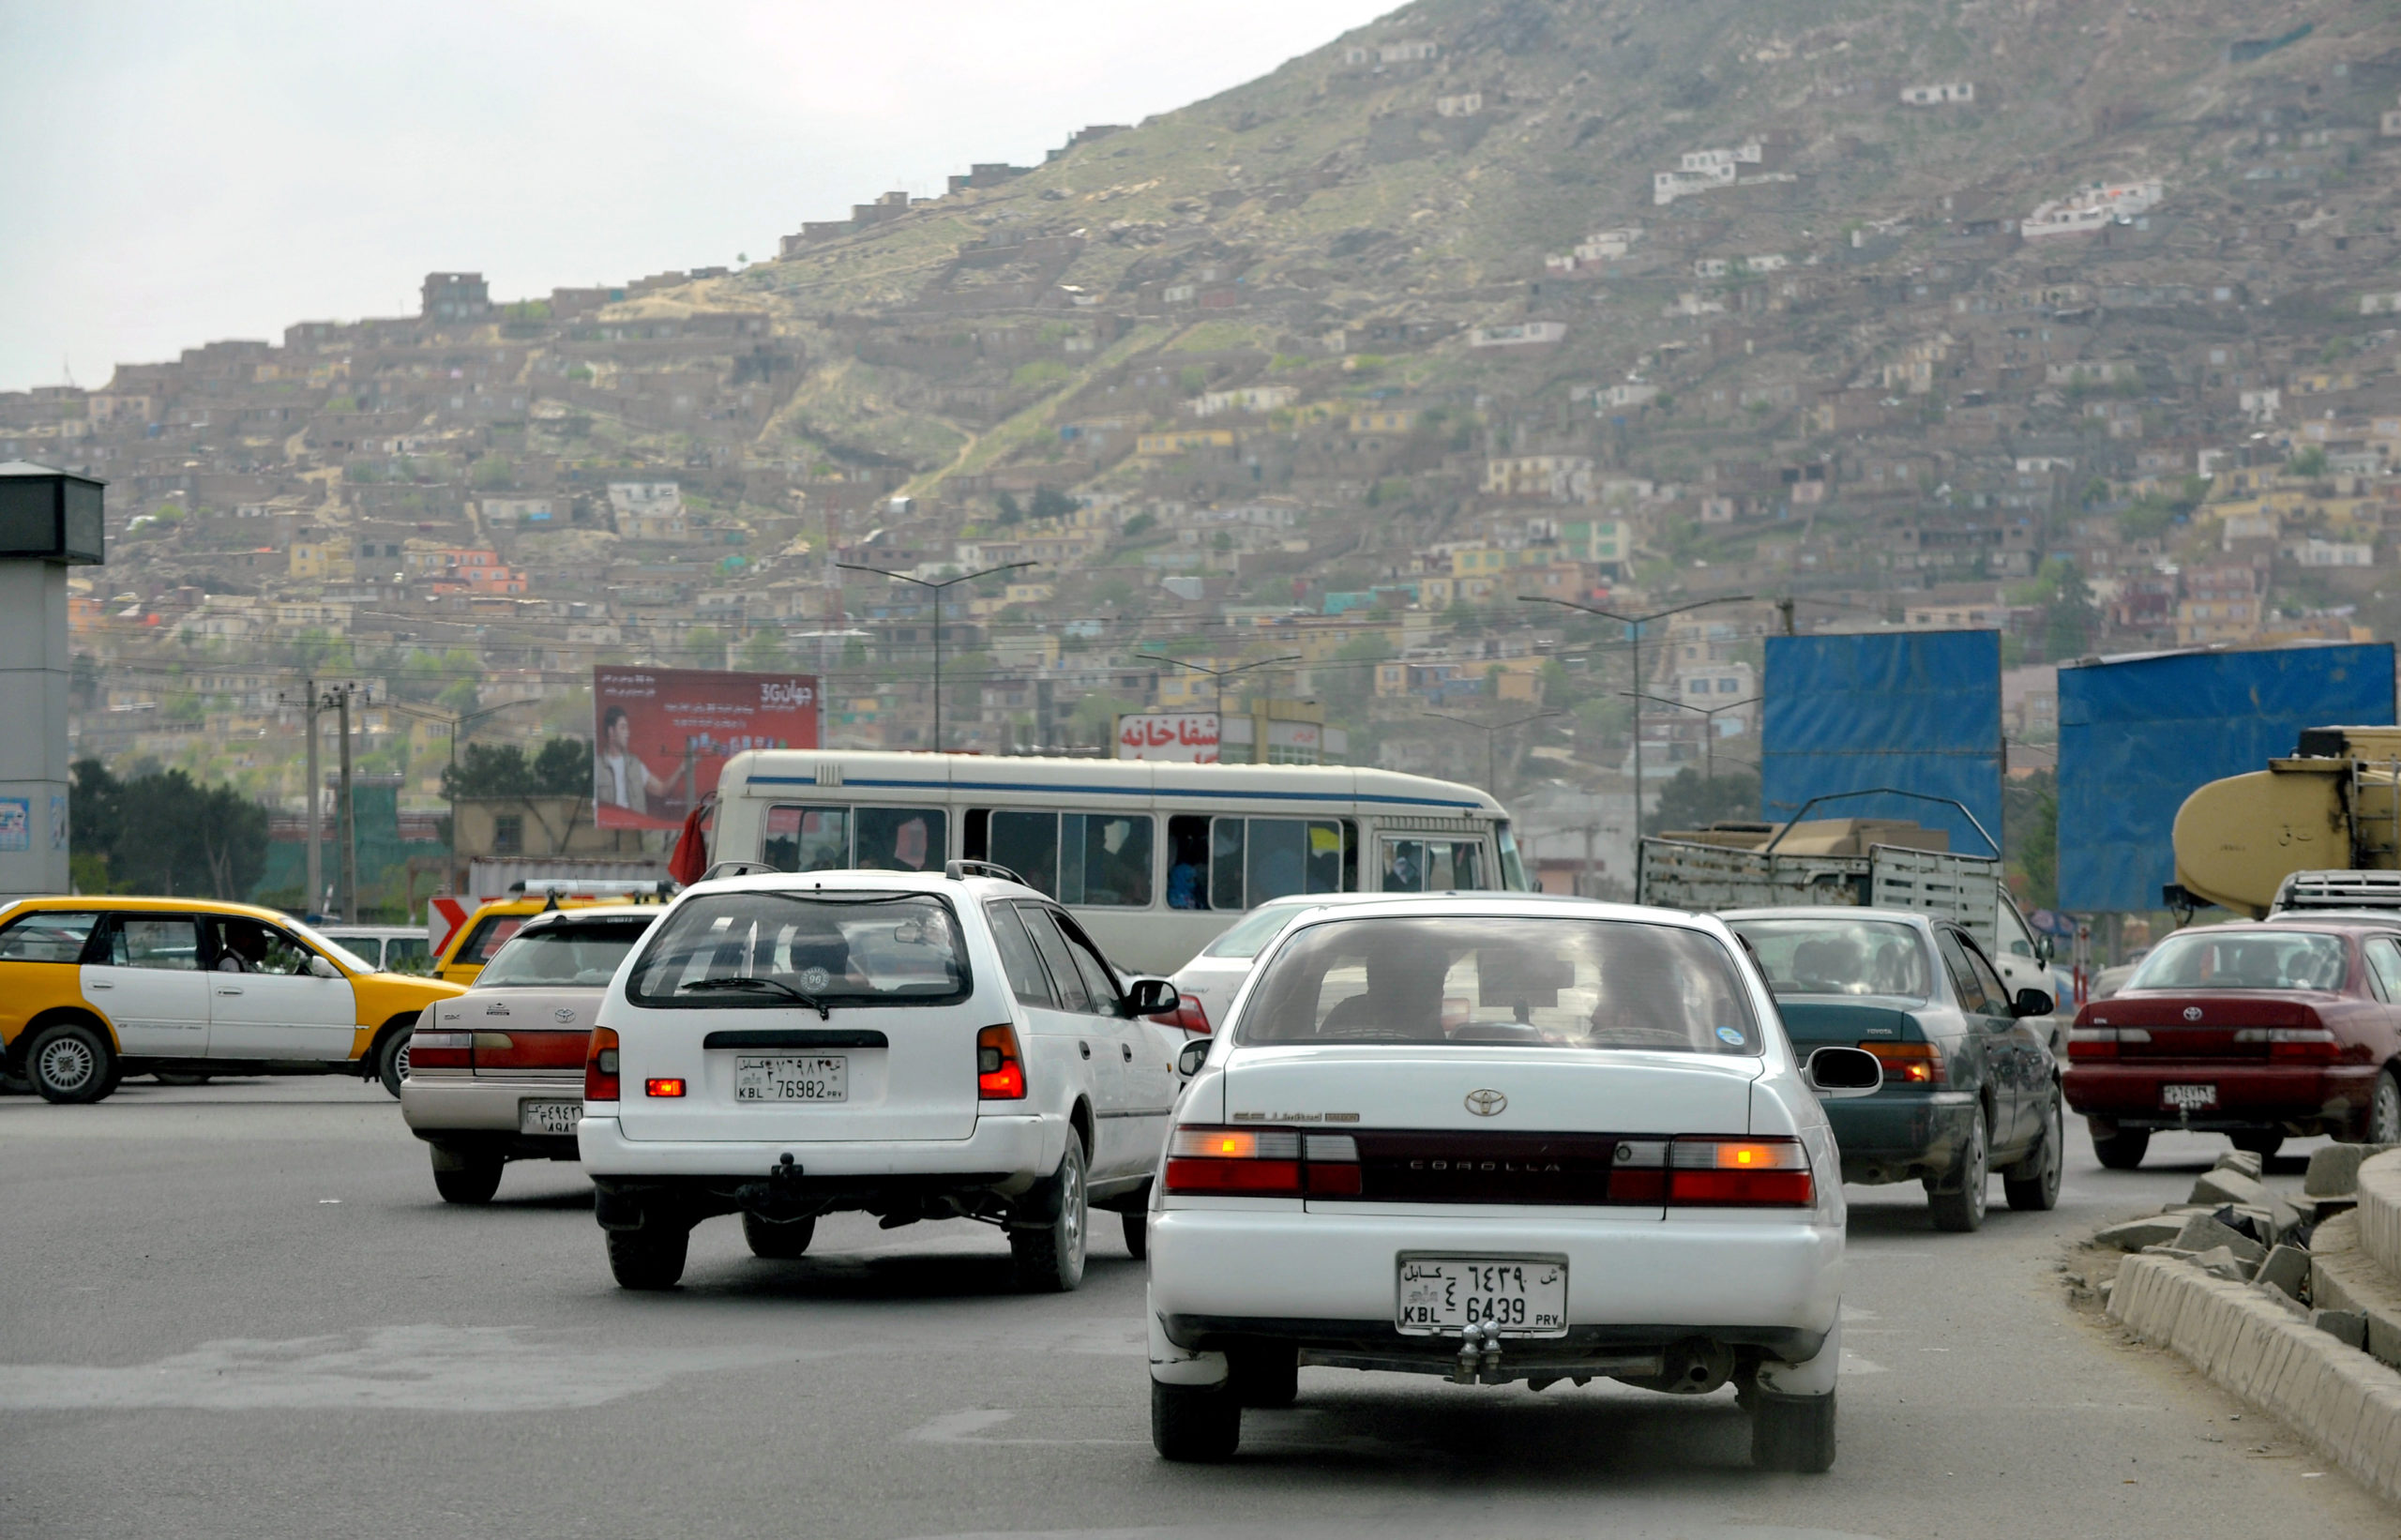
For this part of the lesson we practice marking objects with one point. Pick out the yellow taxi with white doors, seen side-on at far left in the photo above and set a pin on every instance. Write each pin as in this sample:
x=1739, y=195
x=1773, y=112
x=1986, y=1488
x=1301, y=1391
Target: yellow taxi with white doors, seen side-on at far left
x=100, y=989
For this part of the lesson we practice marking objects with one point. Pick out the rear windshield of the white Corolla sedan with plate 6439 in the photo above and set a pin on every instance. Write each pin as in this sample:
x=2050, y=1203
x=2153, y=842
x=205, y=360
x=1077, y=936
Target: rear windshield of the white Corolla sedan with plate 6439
x=1504, y=981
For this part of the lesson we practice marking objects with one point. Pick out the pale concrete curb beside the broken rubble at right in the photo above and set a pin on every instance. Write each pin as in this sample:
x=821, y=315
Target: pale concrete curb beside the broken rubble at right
x=2340, y=1399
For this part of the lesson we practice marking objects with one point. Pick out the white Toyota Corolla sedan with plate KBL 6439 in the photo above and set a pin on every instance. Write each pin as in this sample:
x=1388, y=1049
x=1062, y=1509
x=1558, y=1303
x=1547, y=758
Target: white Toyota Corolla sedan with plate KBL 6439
x=1502, y=1138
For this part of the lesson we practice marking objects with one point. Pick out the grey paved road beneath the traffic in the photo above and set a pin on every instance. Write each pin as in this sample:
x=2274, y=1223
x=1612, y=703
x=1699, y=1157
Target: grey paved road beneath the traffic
x=239, y=1311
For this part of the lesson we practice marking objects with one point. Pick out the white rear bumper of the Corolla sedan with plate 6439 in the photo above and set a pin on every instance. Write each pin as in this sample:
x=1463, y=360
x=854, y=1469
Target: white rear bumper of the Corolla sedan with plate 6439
x=1631, y=1282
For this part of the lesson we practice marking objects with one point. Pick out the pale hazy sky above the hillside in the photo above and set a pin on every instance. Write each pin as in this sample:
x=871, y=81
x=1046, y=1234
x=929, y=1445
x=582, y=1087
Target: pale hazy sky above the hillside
x=179, y=174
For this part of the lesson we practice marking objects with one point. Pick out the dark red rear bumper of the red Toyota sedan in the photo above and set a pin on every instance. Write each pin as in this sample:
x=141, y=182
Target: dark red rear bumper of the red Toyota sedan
x=2251, y=1094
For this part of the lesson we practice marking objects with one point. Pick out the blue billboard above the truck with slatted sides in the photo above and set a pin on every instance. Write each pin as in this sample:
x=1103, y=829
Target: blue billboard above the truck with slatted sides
x=1912, y=710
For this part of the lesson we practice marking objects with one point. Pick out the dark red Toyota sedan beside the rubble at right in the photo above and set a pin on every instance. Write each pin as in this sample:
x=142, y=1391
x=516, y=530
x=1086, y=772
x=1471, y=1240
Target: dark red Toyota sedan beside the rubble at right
x=2258, y=1032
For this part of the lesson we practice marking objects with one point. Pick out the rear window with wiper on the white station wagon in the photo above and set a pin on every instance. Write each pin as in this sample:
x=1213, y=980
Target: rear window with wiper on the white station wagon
x=784, y=950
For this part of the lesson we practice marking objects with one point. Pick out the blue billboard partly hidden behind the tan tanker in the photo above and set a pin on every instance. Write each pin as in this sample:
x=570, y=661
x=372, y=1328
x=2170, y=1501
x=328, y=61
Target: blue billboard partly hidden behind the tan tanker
x=2138, y=736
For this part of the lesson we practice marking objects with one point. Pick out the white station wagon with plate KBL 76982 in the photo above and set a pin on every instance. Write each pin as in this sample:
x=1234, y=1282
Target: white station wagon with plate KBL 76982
x=902, y=1044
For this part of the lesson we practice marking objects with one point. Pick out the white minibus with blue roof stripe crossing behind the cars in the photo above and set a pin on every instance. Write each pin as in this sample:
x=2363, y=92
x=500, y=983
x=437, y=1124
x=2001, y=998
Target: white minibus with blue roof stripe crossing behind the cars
x=1154, y=859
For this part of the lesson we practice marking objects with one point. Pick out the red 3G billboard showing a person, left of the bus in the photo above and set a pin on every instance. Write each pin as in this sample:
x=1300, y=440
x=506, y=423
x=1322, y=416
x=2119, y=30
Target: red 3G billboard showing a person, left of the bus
x=664, y=734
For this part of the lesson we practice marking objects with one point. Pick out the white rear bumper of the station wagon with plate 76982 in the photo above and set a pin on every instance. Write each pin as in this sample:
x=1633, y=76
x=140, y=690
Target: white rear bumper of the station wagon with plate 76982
x=1017, y=1150
